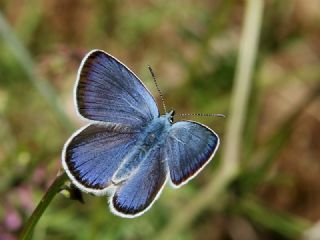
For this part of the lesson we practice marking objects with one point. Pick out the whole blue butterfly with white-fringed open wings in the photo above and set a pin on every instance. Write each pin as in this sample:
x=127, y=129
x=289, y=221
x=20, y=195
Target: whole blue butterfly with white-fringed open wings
x=128, y=151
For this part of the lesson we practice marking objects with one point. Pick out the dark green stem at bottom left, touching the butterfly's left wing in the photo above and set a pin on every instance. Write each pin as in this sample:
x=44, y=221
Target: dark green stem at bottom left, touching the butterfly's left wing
x=54, y=188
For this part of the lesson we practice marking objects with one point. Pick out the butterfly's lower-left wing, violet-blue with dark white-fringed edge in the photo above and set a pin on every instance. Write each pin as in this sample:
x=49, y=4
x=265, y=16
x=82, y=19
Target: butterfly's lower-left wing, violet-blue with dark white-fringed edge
x=93, y=154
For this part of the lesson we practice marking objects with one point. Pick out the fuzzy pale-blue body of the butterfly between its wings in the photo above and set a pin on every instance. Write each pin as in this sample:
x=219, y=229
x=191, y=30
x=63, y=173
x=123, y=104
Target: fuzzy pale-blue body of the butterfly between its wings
x=152, y=137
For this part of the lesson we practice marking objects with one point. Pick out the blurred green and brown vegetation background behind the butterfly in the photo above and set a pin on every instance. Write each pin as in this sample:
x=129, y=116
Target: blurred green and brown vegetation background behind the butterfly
x=193, y=48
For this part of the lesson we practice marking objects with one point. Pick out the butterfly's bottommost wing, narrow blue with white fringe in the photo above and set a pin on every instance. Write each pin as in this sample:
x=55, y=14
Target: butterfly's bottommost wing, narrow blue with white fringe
x=136, y=195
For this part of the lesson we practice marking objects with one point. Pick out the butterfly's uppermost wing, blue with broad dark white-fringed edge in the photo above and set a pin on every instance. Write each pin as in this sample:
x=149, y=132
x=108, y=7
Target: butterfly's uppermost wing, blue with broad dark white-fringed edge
x=108, y=91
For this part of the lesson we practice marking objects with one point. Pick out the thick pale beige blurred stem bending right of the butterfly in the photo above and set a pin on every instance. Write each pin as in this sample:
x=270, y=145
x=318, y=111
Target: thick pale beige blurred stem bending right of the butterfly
x=235, y=125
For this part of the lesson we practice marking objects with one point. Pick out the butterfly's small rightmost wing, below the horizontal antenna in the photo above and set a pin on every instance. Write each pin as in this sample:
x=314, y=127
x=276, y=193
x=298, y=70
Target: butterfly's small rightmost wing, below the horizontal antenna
x=189, y=147
